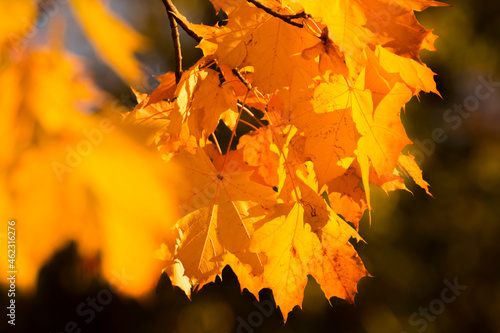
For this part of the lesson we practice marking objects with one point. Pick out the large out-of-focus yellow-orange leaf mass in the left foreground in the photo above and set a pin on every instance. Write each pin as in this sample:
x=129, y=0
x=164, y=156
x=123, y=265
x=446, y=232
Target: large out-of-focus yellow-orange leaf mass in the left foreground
x=69, y=176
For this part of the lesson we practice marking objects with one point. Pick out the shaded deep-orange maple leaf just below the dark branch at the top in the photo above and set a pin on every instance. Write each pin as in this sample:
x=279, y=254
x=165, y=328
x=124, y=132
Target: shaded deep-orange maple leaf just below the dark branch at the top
x=254, y=37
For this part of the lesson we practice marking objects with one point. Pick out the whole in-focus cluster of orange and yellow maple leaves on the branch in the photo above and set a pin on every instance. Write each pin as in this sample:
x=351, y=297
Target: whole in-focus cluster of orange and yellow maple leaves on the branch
x=331, y=101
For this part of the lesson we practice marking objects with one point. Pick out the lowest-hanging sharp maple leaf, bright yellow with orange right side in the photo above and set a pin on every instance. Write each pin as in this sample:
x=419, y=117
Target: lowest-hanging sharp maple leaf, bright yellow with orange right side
x=306, y=237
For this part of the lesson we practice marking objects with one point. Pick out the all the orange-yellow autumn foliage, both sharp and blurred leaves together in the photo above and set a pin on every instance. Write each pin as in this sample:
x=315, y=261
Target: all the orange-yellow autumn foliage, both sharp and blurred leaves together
x=310, y=93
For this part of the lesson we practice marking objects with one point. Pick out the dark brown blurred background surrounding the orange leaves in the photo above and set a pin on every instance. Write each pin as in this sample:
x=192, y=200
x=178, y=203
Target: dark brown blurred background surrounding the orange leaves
x=416, y=246
